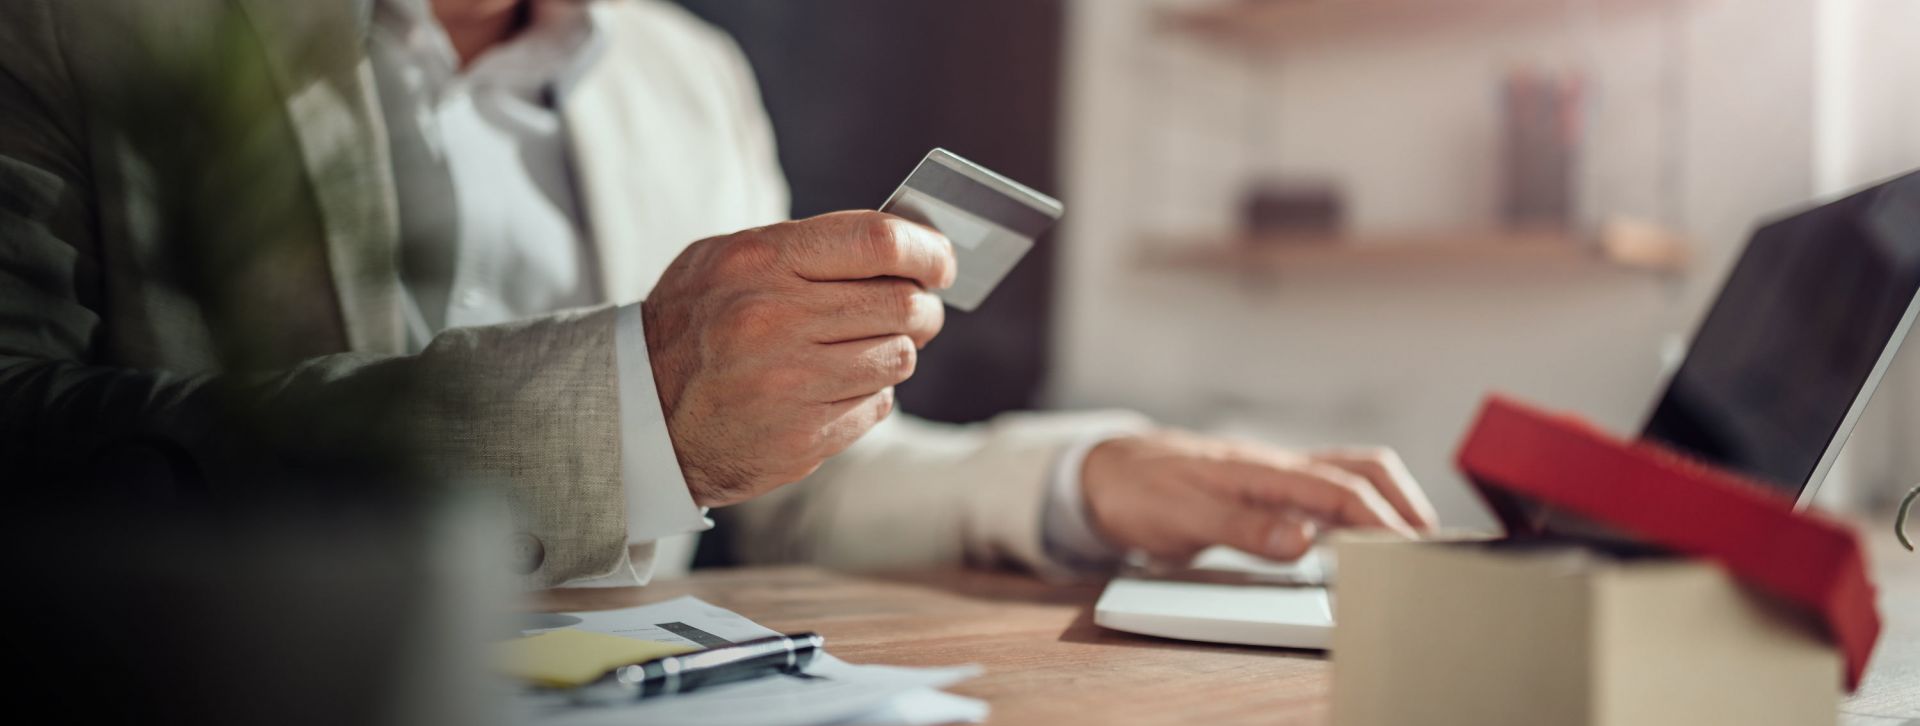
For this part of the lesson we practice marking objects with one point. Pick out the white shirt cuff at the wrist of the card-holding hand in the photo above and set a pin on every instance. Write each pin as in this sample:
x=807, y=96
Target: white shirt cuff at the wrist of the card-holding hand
x=658, y=498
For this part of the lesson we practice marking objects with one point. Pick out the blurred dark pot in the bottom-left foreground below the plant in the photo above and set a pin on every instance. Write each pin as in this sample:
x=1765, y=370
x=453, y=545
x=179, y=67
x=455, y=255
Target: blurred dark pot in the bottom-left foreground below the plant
x=322, y=612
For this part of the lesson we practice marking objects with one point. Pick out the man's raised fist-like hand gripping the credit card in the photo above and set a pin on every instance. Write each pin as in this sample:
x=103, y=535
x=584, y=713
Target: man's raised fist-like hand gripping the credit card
x=780, y=347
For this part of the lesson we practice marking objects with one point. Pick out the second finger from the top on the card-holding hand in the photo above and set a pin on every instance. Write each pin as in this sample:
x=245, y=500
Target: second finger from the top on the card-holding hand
x=859, y=310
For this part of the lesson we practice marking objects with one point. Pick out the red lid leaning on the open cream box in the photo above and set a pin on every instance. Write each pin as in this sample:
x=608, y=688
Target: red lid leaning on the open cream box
x=1520, y=456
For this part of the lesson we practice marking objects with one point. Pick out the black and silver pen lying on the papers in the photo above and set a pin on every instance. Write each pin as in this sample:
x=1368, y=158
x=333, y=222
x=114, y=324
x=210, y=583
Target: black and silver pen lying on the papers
x=711, y=667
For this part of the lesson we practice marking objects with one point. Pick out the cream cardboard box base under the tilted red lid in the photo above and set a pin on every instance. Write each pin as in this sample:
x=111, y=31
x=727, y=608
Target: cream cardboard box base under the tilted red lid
x=1539, y=633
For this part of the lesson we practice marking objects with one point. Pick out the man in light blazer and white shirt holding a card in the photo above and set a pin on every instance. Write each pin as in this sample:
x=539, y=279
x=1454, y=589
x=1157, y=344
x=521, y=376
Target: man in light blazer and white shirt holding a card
x=542, y=243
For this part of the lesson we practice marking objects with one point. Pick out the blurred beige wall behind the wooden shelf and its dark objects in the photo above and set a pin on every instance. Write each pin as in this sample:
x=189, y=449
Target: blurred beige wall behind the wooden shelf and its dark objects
x=1406, y=122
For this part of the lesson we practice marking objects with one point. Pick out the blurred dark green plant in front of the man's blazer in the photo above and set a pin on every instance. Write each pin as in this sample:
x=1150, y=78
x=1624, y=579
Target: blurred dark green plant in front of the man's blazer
x=208, y=132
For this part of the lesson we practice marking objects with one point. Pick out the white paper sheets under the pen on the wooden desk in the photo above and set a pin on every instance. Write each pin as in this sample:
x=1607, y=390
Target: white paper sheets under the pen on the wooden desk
x=832, y=694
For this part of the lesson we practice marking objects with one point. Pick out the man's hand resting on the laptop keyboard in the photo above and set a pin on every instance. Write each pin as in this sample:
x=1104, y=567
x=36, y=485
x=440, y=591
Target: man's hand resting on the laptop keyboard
x=1174, y=495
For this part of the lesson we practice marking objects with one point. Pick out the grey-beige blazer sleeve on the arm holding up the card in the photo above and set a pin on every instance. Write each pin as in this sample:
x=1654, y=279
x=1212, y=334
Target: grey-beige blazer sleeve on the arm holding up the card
x=529, y=406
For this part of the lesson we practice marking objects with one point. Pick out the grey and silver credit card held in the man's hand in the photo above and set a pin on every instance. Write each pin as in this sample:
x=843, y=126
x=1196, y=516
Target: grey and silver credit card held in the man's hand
x=992, y=220
